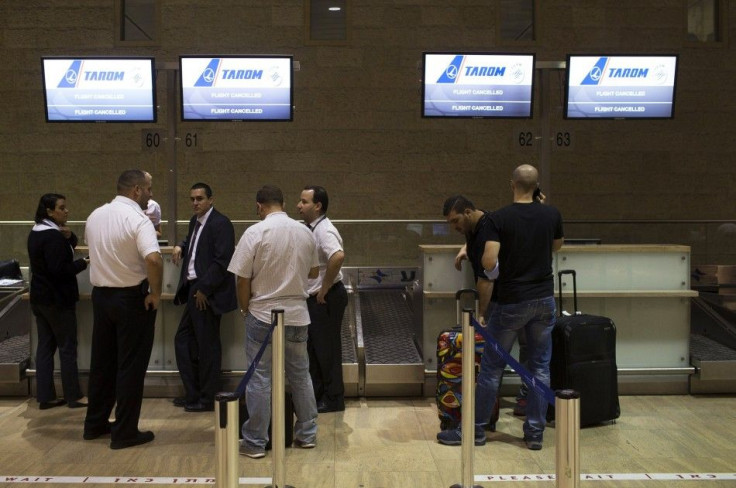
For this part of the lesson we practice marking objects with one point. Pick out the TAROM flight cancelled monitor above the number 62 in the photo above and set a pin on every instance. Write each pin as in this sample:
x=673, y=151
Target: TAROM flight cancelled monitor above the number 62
x=478, y=85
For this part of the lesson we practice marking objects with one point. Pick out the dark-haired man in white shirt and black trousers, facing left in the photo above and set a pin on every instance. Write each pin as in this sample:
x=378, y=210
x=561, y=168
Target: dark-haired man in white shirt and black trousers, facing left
x=327, y=301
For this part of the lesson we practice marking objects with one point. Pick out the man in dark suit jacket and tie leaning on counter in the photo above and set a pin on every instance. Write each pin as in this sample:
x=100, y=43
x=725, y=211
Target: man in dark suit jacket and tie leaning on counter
x=207, y=289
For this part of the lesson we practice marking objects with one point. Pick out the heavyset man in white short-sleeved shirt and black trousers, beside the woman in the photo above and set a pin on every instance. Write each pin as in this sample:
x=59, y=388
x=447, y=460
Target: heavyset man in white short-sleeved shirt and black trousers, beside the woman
x=126, y=272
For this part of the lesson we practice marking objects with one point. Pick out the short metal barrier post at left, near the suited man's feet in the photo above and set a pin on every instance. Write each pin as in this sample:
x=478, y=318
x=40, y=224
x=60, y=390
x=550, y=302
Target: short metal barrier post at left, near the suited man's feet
x=226, y=440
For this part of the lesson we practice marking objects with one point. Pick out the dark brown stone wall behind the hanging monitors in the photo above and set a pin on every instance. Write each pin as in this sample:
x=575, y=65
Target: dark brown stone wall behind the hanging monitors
x=357, y=128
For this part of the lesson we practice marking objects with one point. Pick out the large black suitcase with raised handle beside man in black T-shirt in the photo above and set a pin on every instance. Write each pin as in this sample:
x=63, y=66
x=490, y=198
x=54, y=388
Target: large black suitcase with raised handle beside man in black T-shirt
x=584, y=359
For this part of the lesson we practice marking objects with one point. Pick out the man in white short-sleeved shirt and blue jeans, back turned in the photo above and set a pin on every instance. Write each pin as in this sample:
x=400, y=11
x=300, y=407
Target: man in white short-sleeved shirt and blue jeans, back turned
x=272, y=262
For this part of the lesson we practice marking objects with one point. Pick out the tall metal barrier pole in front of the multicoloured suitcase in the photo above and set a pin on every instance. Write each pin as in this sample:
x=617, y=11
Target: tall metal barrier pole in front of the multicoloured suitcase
x=467, y=409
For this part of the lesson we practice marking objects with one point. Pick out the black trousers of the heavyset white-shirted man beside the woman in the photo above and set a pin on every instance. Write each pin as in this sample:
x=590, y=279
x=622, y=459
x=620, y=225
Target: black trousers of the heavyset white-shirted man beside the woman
x=122, y=340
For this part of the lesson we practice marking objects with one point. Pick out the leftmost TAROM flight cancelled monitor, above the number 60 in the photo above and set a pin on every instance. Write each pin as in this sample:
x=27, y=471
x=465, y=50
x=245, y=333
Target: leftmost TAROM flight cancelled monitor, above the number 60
x=84, y=89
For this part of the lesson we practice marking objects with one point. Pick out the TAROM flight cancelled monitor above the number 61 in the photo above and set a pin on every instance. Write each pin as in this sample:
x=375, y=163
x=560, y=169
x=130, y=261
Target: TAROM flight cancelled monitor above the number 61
x=236, y=88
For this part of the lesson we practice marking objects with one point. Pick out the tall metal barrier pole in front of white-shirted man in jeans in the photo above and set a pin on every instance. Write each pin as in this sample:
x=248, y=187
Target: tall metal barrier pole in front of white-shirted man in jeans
x=278, y=386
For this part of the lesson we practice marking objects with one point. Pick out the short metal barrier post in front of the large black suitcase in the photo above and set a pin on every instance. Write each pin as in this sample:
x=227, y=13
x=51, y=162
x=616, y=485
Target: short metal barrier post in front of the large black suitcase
x=567, y=428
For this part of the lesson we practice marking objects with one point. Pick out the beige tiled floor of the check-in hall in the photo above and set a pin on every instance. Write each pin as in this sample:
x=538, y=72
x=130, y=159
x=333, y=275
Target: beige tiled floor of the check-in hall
x=378, y=443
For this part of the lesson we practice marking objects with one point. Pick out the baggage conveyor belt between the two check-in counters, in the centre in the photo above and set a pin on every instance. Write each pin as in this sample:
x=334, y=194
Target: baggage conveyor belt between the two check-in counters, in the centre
x=387, y=350
